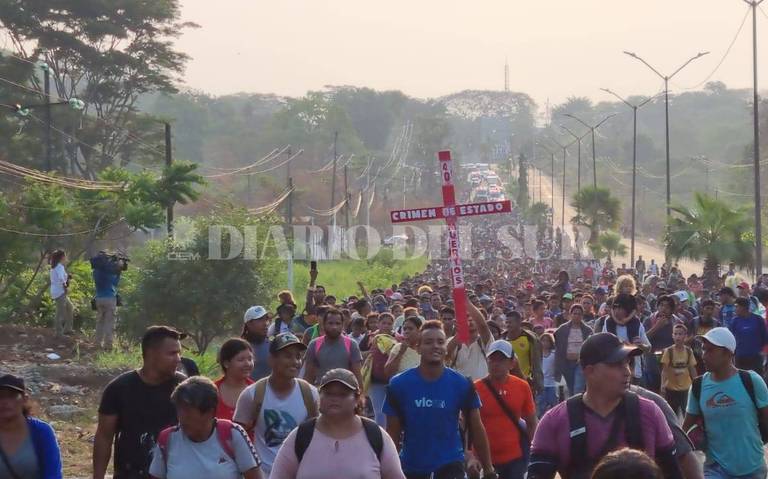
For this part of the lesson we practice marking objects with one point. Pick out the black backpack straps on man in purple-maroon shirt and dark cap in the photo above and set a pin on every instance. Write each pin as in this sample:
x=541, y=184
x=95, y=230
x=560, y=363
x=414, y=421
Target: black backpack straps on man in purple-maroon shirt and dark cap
x=627, y=413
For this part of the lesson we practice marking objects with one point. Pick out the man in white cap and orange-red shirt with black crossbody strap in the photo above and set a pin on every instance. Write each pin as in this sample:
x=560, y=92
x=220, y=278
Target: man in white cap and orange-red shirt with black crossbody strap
x=508, y=412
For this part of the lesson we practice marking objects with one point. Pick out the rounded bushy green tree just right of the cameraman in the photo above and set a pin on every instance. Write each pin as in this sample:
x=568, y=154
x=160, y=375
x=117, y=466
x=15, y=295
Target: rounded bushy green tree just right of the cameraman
x=180, y=285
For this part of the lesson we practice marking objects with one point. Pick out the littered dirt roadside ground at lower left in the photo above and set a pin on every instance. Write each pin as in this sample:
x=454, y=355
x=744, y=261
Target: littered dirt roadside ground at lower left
x=65, y=391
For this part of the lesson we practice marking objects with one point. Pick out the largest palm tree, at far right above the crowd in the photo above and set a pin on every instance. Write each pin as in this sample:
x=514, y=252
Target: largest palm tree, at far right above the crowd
x=712, y=230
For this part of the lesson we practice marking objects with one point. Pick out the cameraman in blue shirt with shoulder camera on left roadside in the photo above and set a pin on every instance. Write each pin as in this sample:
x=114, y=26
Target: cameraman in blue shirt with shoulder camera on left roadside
x=106, y=276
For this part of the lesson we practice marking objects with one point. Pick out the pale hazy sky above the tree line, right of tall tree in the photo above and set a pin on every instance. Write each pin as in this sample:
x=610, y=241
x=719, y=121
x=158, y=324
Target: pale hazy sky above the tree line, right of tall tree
x=428, y=48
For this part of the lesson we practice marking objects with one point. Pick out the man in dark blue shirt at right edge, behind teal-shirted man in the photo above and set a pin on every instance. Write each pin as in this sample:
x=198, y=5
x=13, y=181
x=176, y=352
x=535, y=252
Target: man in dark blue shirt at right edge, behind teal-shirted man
x=751, y=336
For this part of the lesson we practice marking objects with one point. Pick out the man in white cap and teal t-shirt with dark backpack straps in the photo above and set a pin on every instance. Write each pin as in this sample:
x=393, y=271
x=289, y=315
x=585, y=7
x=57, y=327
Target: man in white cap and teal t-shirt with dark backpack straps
x=731, y=403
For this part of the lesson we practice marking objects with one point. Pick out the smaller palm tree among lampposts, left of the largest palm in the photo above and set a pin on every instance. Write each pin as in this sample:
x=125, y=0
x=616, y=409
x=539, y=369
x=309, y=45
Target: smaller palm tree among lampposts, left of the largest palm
x=597, y=210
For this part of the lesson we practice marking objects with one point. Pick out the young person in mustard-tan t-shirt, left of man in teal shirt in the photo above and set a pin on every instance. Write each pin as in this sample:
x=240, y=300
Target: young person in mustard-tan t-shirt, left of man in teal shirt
x=678, y=368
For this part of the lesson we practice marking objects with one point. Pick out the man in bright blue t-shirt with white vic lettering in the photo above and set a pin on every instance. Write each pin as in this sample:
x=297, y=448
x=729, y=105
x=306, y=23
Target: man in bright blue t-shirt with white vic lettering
x=424, y=403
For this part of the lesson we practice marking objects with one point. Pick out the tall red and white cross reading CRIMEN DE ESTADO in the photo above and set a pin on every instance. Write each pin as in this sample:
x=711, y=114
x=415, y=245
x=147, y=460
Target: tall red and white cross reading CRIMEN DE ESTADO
x=450, y=211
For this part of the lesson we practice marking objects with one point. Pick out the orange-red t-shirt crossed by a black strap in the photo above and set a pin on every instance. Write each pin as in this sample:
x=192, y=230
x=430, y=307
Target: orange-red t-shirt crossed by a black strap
x=503, y=435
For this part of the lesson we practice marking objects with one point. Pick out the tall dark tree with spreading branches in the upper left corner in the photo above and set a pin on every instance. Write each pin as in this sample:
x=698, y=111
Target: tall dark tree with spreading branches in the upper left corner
x=106, y=53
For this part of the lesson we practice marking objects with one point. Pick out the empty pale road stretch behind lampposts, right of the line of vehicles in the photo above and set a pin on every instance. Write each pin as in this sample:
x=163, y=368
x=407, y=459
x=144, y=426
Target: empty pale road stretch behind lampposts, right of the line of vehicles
x=648, y=249
